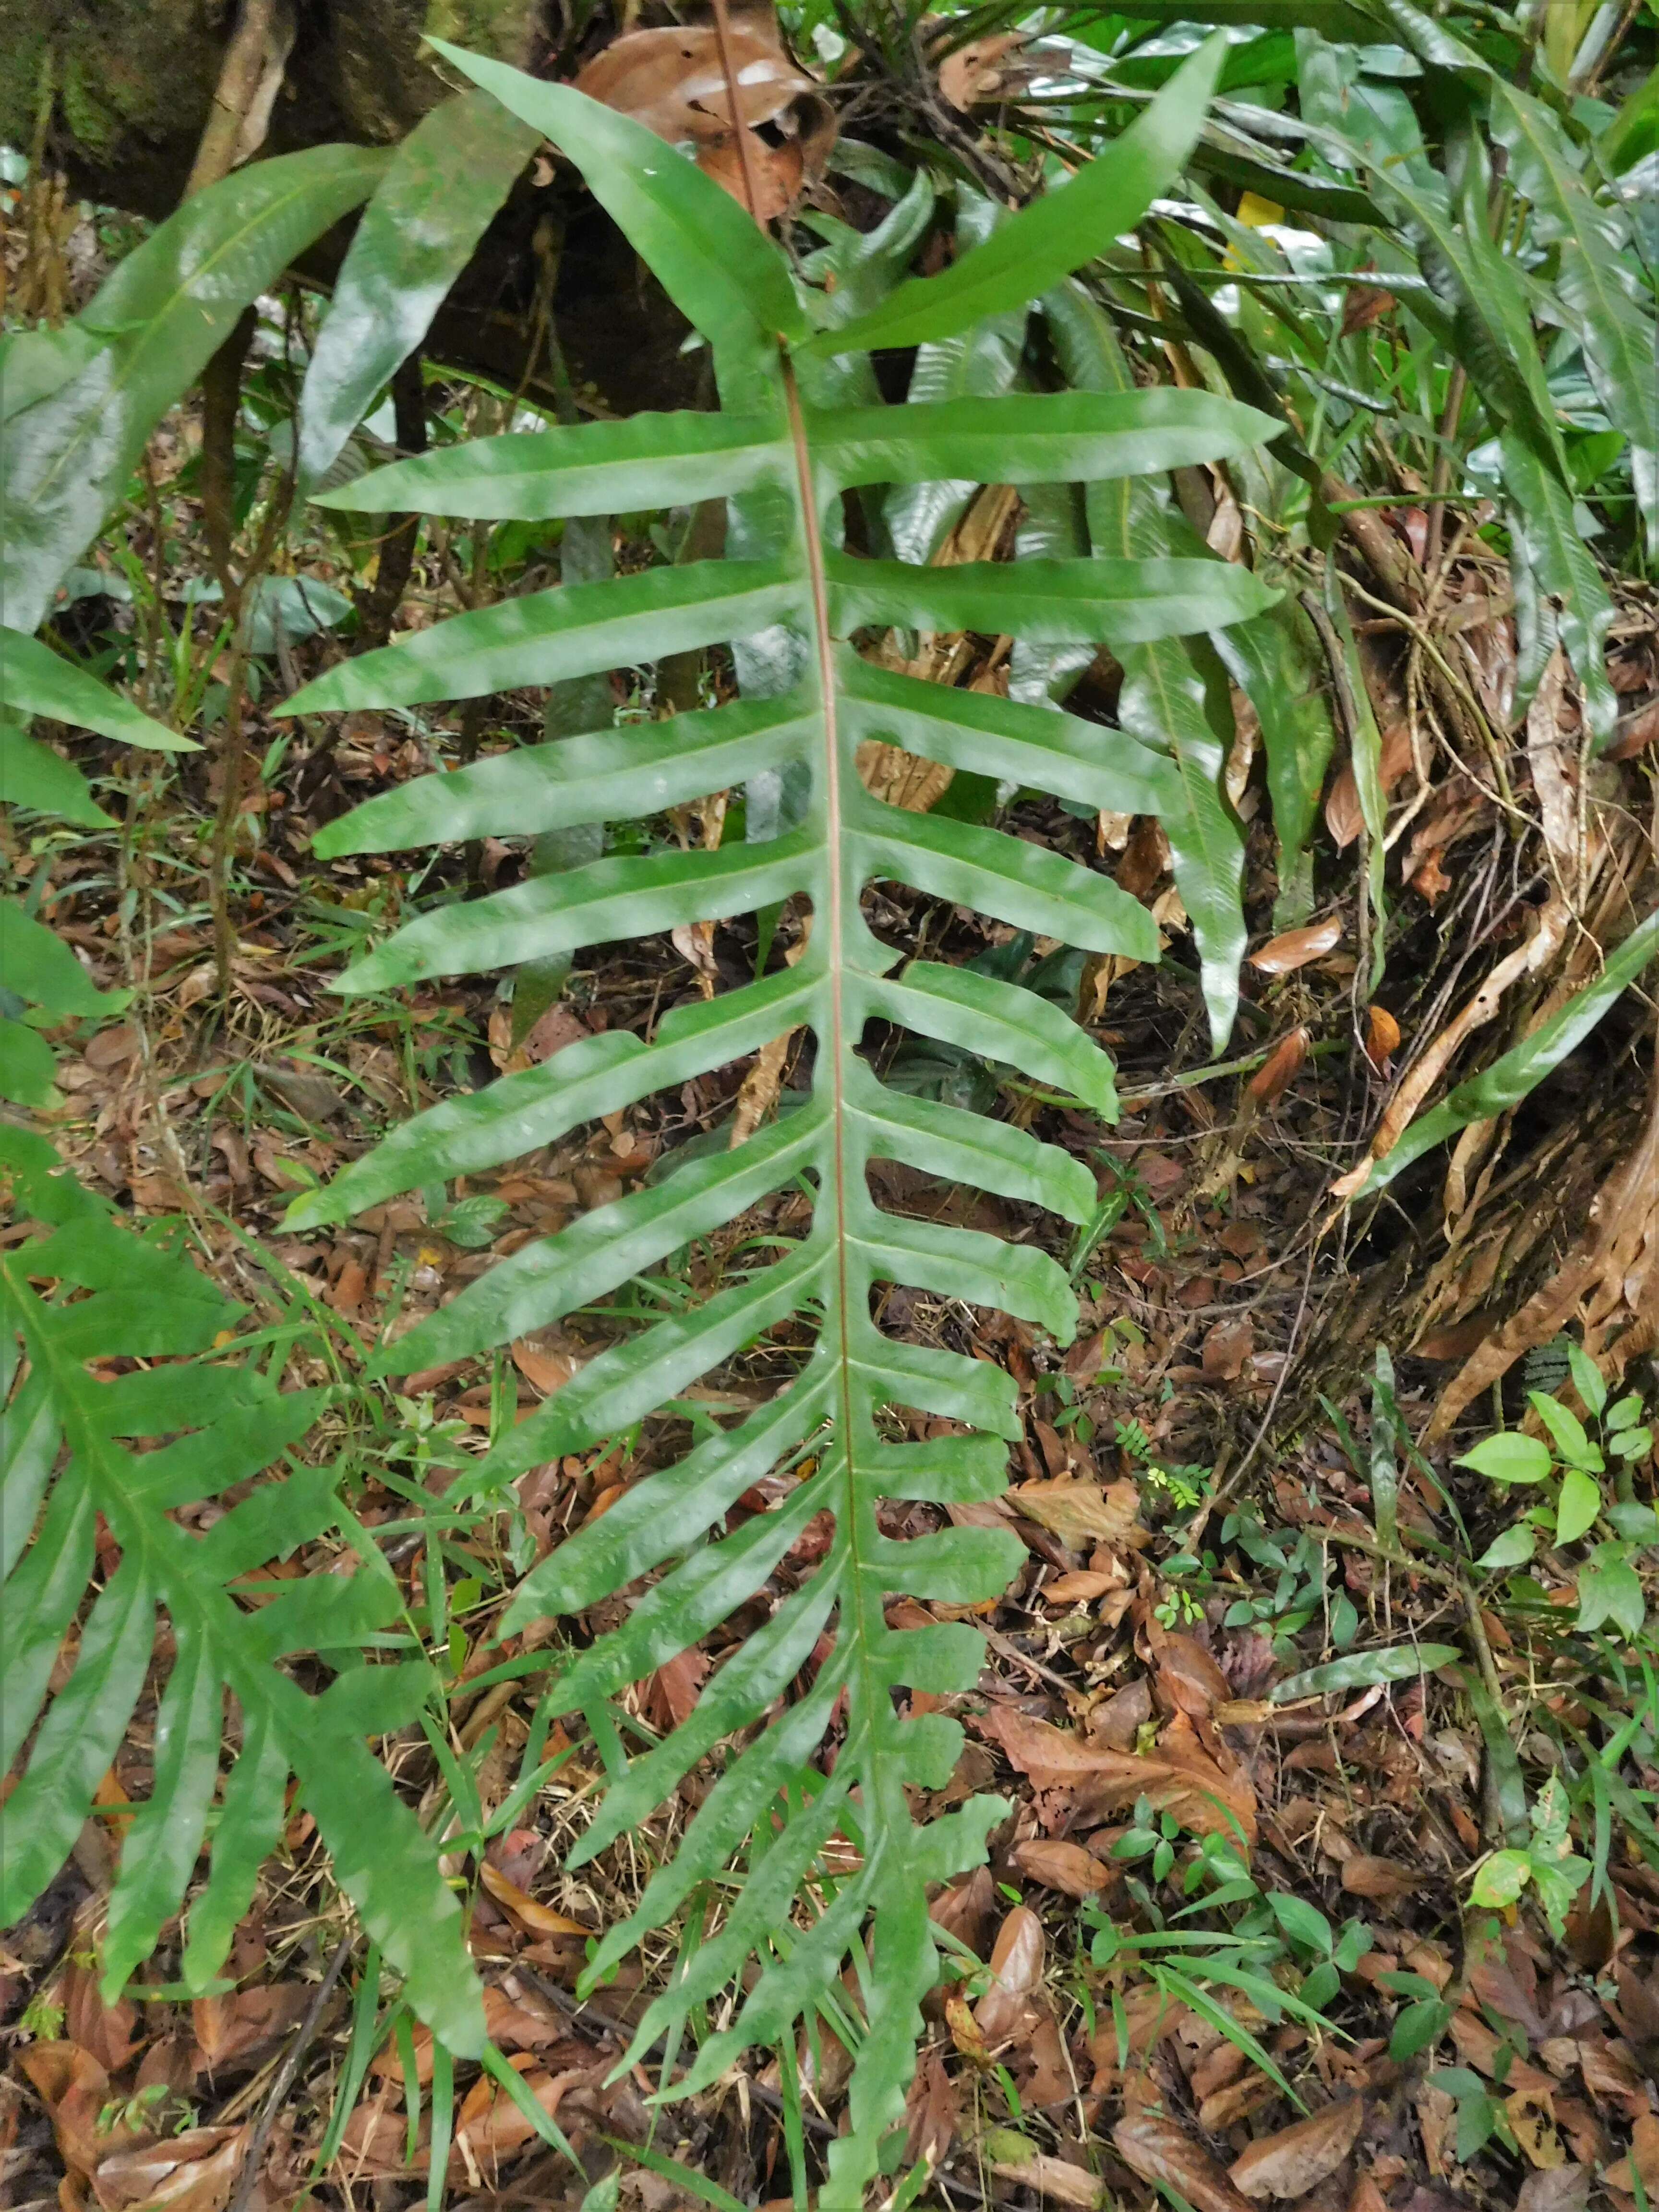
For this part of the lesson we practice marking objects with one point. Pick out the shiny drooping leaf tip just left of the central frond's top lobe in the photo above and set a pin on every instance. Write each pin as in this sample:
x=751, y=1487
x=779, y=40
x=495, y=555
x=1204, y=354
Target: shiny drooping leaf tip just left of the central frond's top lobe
x=417, y=233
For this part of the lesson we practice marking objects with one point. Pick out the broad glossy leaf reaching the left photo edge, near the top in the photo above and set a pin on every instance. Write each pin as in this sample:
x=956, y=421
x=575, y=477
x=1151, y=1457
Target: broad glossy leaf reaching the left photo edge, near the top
x=67, y=457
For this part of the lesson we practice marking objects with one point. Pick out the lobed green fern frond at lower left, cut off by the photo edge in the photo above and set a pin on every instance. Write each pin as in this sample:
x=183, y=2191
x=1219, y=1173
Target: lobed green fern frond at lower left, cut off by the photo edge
x=92, y=1291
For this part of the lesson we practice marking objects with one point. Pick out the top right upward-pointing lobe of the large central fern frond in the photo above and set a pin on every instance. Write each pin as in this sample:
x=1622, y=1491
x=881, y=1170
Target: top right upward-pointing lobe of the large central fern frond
x=1054, y=236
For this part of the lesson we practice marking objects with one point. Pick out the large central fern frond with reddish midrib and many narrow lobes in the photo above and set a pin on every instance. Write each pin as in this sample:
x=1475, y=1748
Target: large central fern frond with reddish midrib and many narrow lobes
x=784, y=461
